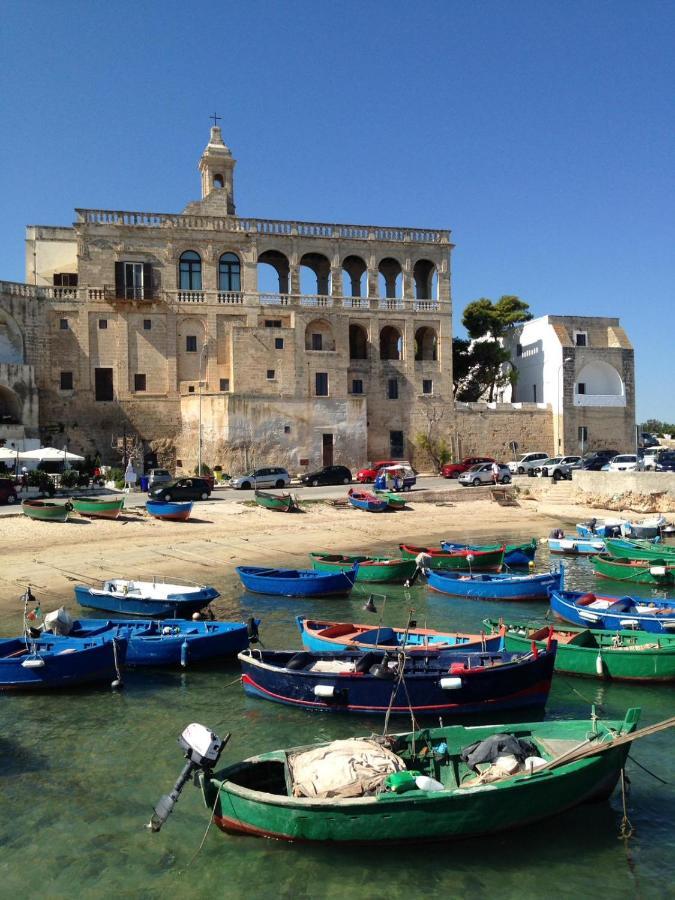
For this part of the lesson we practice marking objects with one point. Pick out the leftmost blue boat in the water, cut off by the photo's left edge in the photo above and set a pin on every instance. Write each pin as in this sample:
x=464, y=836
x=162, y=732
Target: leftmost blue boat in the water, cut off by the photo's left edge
x=27, y=664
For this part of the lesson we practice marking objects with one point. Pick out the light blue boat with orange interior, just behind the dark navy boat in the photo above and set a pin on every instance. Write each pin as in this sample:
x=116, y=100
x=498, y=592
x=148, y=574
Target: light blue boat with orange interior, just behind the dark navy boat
x=339, y=637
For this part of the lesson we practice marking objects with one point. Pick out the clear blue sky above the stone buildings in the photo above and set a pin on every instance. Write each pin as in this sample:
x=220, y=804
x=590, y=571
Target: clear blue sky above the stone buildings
x=541, y=133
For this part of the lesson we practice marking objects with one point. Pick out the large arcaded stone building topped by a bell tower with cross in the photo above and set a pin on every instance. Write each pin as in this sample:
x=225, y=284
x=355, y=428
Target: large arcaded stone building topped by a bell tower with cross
x=310, y=341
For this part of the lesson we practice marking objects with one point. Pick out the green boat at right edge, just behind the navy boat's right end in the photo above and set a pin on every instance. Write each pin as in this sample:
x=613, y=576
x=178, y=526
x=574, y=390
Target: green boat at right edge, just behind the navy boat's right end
x=611, y=656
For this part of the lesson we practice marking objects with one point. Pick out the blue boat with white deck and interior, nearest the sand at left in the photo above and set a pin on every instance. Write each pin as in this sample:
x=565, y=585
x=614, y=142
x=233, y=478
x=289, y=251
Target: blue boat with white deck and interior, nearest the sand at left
x=151, y=599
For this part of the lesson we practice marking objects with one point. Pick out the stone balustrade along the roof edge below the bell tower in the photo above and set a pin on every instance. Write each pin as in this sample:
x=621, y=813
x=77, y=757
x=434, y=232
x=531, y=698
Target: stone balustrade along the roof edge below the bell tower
x=262, y=226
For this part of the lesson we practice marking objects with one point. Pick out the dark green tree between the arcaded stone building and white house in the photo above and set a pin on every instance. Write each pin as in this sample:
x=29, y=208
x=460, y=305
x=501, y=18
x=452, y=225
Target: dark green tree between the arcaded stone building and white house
x=482, y=365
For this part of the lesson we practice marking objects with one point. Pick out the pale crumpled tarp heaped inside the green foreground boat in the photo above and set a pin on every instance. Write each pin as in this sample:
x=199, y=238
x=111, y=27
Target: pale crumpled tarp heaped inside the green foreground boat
x=350, y=768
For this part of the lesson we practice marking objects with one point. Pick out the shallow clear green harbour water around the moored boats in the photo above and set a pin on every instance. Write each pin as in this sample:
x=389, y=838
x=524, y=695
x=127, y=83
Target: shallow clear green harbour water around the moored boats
x=81, y=772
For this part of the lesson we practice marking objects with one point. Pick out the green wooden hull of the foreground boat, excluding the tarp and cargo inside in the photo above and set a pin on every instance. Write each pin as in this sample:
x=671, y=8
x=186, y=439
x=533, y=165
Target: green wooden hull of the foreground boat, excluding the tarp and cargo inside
x=453, y=813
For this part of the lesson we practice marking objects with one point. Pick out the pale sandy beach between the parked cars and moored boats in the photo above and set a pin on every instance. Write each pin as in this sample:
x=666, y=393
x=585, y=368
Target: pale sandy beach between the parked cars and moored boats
x=52, y=557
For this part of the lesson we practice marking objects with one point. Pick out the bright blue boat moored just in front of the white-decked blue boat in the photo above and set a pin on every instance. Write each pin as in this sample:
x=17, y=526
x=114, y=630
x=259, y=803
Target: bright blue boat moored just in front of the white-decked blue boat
x=155, y=643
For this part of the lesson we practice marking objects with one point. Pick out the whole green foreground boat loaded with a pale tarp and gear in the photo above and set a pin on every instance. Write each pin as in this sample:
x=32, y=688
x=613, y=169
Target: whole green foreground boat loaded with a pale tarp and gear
x=266, y=796
